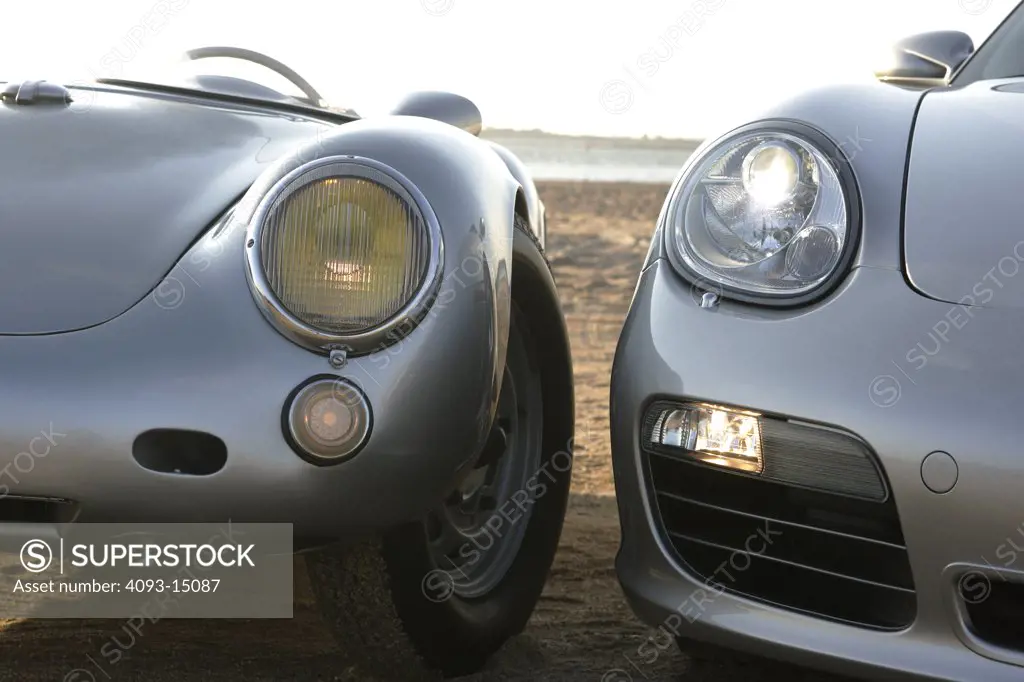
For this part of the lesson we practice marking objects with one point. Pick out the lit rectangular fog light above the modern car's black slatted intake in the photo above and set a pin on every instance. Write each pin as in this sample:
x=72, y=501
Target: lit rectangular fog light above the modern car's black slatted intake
x=711, y=435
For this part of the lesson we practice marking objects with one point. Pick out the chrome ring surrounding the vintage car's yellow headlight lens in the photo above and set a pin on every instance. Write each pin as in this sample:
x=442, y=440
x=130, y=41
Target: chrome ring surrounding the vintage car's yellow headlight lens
x=395, y=328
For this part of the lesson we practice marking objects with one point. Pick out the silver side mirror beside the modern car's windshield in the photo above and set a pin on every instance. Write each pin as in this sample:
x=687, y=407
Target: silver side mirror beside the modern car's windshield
x=927, y=60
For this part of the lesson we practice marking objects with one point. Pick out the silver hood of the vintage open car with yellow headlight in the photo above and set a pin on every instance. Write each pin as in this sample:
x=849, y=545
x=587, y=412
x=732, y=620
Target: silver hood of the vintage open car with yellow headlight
x=101, y=199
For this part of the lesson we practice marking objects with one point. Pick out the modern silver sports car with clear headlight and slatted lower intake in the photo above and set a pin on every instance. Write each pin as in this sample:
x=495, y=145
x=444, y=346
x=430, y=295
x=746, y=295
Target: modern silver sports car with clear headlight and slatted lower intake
x=816, y=401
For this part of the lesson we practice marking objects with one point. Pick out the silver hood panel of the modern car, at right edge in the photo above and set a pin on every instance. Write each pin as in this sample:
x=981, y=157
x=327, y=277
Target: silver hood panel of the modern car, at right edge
x=964, y=226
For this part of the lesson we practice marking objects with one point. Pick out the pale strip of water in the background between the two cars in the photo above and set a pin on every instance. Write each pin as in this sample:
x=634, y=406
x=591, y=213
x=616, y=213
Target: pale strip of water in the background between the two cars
x=604, y=159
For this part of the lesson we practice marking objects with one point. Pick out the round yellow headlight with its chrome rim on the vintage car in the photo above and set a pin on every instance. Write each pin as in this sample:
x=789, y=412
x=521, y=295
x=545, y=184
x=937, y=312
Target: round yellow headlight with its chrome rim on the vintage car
x=343, y=252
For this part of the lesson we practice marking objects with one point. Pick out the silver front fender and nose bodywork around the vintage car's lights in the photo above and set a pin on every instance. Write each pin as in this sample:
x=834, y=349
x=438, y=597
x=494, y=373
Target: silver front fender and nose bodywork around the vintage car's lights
x=198, y=355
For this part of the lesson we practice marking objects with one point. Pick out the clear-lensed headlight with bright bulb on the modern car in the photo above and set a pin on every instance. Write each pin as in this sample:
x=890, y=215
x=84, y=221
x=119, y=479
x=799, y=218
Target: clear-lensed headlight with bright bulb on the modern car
x=766, y=215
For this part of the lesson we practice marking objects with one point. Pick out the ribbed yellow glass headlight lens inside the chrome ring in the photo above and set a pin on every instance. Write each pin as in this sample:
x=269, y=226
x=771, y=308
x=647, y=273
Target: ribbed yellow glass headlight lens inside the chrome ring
x=345, y=254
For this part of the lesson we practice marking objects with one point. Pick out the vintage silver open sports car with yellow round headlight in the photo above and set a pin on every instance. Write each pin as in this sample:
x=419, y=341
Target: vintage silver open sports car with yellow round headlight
x=223, y=302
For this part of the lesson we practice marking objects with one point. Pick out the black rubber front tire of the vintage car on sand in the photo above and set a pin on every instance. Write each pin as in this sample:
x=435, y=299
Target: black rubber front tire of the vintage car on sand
x=398, y=615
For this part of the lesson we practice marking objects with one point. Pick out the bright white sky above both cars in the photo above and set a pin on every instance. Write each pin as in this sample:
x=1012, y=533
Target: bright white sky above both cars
x=657, y=68
